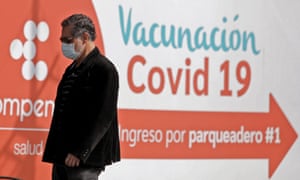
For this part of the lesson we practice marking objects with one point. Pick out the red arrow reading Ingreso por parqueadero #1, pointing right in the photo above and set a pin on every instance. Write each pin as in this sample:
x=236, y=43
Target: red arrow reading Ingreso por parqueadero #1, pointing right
x=211, y=135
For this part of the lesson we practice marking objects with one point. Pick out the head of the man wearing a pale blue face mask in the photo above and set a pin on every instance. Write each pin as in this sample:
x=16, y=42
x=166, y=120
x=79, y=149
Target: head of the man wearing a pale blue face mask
x=78, y=36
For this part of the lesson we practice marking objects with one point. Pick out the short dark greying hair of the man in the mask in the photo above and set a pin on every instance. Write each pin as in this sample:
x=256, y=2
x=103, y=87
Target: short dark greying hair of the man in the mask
x=81, y=23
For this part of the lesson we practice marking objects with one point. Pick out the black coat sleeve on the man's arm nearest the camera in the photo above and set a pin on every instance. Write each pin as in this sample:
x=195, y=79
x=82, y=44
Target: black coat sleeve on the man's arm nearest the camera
x=102, y=108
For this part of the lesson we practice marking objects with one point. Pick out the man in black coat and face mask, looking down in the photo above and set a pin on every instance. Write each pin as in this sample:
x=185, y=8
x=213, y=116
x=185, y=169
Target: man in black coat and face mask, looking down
x=83, y=136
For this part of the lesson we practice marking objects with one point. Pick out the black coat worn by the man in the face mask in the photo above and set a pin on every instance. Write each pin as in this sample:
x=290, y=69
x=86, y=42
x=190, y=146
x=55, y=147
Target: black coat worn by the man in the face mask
x=85, y=120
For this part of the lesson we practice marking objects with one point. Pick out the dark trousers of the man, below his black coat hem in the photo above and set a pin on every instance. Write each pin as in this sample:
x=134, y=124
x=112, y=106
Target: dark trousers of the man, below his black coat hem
x=61, y=172
